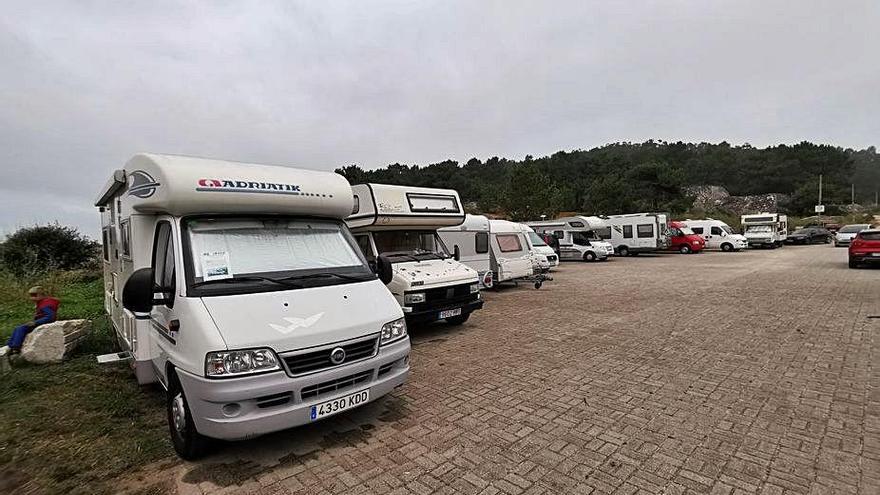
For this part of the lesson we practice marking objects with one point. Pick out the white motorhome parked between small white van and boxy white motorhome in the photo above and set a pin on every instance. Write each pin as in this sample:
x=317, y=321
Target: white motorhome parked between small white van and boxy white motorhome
x=575, y=237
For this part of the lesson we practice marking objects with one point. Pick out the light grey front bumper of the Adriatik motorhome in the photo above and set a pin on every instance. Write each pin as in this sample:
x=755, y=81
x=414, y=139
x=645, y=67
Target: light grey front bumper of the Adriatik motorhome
x=207, y=397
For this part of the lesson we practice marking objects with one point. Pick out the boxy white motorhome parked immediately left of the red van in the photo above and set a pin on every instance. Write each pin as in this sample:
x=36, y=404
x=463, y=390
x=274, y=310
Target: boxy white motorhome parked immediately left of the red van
x=633, y=233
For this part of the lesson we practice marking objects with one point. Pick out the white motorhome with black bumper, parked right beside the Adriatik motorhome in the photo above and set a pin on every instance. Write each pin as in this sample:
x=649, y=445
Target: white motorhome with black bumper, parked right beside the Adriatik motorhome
x=398, y=224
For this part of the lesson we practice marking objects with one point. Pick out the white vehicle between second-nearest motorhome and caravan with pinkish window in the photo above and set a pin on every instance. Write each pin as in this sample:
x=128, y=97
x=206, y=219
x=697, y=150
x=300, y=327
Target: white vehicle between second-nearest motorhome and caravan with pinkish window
x=471, y=239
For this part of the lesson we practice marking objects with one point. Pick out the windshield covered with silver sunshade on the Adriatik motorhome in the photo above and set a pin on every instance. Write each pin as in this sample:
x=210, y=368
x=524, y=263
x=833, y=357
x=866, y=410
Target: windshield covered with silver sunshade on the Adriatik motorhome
x=236, y=255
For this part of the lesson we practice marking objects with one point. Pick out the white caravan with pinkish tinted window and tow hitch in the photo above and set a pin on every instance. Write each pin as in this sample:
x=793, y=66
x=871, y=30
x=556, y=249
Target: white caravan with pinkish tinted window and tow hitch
x=511, y=257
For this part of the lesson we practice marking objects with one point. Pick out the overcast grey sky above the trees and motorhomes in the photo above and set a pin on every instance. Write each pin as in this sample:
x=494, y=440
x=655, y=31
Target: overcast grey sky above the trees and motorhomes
x=85, y=85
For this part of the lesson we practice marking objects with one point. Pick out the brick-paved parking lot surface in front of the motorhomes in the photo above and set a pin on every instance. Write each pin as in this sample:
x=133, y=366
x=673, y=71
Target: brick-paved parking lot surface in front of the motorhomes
x=752, y=372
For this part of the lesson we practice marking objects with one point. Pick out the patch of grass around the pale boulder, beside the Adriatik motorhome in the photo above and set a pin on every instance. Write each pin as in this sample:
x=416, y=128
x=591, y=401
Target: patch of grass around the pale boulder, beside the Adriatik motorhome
x=74, y=427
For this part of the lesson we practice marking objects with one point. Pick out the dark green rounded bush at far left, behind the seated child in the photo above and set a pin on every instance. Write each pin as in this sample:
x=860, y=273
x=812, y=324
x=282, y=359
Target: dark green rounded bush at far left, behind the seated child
x=43, y=248
